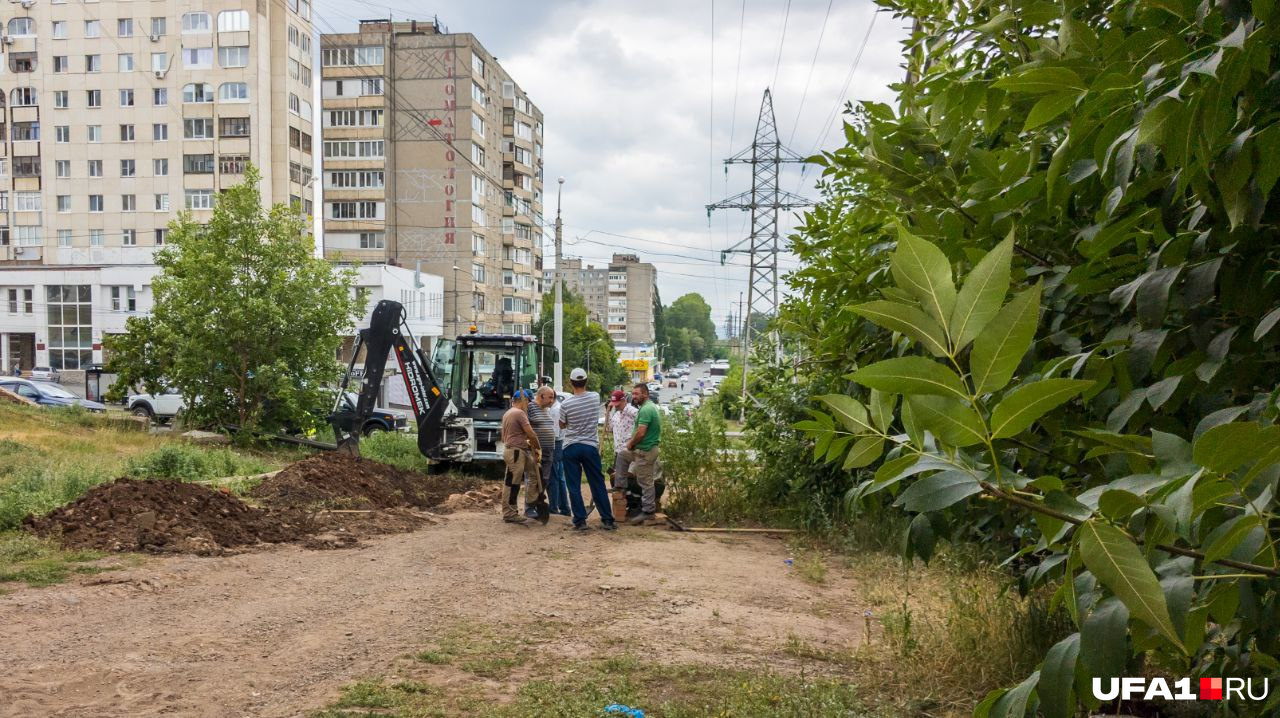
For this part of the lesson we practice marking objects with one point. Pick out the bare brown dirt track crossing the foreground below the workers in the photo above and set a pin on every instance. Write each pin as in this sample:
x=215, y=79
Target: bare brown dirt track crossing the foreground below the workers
x=278, y=632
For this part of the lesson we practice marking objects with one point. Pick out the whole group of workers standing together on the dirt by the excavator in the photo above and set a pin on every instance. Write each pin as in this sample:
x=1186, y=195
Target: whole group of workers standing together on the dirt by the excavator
x=551, y=445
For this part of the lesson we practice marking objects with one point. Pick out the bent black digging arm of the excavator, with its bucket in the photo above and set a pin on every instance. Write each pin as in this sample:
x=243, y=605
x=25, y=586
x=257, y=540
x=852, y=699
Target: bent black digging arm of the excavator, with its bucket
x=441, y=435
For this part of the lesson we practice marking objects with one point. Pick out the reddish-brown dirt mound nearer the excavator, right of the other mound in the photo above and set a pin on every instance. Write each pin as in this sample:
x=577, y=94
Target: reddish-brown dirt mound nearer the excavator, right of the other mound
x=335, y=481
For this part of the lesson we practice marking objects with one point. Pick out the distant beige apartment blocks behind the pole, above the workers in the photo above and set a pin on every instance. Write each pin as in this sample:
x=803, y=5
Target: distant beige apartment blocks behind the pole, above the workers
x=619, y=298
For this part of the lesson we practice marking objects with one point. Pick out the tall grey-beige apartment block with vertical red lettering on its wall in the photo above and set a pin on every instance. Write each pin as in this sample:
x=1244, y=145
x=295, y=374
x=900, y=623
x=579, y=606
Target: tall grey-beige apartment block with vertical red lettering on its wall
x=433, y=159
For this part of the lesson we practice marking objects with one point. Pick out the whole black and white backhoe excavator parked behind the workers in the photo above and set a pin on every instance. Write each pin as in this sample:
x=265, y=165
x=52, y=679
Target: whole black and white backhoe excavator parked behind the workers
x=459, y=397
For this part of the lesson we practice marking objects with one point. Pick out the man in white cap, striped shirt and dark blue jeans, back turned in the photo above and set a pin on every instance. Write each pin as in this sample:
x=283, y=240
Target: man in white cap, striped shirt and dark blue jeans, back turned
x=580, y=418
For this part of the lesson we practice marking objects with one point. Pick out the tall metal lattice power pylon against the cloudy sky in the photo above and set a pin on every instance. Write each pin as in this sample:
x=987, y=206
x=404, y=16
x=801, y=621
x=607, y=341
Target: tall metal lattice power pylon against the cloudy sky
x=766, y=156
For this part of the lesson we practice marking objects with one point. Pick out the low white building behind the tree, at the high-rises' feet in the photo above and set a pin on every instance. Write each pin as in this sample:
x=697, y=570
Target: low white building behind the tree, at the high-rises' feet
x=60, y=315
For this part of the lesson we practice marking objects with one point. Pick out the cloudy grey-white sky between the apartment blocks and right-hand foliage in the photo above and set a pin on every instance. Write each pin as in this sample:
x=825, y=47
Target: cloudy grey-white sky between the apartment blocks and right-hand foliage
x=644, y=100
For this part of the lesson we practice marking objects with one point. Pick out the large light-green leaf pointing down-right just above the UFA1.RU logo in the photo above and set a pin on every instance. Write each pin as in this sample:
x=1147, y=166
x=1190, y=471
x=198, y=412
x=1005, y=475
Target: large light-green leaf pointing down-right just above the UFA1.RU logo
x=1119, y=565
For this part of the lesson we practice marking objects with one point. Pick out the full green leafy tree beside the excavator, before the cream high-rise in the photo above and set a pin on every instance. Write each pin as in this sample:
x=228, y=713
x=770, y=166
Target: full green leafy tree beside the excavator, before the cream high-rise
x=246, y=321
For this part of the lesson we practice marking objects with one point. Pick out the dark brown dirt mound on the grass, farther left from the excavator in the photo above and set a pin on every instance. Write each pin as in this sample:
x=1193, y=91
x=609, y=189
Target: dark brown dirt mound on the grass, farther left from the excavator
x=164, y=516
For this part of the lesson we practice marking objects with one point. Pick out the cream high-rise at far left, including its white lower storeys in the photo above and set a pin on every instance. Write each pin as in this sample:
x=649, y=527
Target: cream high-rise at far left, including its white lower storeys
x=116, y=117
